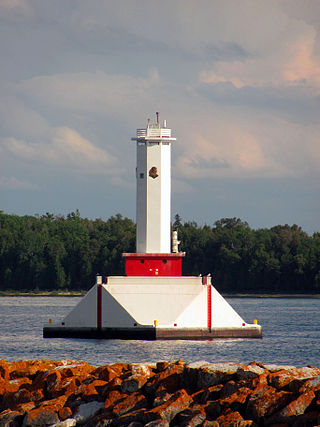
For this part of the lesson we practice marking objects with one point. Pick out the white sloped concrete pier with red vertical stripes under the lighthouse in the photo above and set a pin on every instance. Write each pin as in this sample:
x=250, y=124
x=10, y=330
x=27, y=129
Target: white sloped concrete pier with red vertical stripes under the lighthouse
x=164, y=307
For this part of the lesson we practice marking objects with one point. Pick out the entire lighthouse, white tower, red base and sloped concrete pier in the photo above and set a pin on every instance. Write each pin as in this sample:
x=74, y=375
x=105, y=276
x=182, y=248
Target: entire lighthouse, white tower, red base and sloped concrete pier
x=153, y=300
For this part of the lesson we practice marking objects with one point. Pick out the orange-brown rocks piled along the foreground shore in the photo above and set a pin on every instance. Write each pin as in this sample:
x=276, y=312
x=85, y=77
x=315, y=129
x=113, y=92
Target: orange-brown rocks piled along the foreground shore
x=69, y=393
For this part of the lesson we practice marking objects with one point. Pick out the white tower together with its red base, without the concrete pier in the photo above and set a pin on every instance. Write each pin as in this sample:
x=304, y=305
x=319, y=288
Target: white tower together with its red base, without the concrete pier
x=155, y=254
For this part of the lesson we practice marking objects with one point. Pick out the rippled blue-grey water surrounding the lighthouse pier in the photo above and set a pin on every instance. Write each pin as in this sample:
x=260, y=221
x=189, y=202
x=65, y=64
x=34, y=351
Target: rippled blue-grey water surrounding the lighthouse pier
x=291, y=335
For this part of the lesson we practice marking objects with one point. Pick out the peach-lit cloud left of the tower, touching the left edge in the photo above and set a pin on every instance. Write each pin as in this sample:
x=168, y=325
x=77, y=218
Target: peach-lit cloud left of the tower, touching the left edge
x=67, y=150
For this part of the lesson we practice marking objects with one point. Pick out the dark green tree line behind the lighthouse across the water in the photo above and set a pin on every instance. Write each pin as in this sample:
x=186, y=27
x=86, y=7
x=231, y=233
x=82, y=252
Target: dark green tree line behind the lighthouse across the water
x=54, y=252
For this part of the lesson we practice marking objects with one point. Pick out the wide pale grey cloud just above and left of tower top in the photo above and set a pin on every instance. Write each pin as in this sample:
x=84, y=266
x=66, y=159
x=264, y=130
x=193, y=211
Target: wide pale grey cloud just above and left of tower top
x=96, y=92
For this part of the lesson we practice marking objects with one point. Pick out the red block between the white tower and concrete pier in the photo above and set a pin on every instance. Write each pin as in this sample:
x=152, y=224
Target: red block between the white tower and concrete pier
x=154, y=264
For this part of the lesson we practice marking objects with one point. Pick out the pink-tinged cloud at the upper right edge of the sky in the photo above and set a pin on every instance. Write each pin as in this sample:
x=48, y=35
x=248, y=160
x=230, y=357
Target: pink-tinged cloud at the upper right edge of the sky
x=293, y=63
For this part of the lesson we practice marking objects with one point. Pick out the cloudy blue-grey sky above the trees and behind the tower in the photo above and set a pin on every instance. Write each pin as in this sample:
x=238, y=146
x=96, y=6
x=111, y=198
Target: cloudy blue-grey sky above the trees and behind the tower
x=237, y=81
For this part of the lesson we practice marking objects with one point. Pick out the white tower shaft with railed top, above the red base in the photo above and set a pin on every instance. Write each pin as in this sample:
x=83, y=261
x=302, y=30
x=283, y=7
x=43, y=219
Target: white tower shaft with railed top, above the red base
x=153, y=175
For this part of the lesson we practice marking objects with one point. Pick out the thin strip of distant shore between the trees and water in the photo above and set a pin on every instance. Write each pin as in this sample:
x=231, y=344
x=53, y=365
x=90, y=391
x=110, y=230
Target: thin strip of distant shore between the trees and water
x=82, y=293
